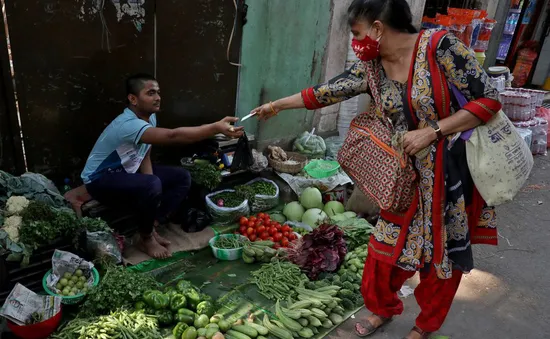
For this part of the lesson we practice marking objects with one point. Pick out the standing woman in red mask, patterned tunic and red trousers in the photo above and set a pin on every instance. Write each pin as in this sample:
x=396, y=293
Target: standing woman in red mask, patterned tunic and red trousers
x=410, y=76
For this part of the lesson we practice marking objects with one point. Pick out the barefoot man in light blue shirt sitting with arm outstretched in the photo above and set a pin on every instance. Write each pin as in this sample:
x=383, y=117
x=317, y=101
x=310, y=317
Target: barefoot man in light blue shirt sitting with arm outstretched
x=119, y=172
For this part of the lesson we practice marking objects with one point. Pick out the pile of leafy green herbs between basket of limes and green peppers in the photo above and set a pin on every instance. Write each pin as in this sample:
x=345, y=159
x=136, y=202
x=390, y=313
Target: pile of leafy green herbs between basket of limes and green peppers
x=119, y=288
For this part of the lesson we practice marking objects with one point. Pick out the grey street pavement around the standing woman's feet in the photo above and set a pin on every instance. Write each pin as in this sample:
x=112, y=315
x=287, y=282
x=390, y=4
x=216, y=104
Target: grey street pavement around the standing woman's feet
x=507, y=295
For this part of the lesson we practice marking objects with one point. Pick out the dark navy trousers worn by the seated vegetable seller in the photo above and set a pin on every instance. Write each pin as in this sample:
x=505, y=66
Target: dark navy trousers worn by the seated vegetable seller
x=149, y=197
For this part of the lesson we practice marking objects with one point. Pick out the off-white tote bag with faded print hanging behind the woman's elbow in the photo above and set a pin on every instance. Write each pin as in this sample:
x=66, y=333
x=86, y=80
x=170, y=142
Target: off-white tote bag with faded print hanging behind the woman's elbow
x=499, y=160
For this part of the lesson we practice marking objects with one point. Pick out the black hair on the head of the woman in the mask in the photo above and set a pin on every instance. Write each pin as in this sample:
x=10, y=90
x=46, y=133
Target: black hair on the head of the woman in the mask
x=394, y=13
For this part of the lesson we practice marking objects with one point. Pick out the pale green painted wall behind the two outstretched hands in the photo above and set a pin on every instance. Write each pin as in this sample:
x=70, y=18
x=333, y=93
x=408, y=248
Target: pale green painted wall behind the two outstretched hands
x=283, y=51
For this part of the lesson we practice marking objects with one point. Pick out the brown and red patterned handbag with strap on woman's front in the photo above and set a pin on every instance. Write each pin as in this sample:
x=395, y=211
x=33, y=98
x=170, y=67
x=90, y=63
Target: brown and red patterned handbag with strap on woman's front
x=368, y=157
